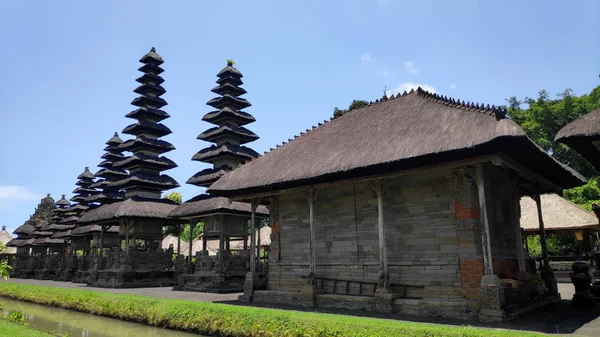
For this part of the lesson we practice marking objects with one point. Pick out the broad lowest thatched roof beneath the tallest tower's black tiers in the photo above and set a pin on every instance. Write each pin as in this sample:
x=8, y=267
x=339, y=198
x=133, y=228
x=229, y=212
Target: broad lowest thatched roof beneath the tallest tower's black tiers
x=135, y=207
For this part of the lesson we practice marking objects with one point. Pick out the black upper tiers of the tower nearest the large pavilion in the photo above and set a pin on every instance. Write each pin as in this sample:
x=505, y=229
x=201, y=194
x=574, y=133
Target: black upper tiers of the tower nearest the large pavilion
x=229, y=134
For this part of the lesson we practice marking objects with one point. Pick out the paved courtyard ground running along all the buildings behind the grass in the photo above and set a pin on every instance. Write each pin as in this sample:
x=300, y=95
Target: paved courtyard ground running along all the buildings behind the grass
x=560, y=319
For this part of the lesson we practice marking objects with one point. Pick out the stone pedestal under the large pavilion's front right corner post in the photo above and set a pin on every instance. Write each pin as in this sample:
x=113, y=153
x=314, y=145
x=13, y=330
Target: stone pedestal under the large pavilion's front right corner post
x=491, y=299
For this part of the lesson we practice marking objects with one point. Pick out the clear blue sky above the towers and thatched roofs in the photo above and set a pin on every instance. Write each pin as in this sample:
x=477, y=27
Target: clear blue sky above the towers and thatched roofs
x=67, y=69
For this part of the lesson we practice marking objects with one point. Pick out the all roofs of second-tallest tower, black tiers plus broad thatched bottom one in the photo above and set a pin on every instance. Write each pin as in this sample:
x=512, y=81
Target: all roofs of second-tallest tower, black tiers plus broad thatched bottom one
x=228, y=150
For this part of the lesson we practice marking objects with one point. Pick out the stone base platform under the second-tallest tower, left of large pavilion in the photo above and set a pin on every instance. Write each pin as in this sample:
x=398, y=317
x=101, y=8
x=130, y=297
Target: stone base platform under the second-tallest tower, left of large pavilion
x=208, y=282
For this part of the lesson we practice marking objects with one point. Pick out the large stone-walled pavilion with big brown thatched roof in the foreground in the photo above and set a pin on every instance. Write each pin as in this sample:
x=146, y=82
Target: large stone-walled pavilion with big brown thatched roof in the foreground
x=409, y=204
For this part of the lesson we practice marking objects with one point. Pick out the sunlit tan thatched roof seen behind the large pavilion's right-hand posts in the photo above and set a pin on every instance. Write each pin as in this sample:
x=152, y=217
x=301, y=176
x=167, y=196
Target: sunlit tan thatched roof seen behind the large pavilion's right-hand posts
x=558, y=214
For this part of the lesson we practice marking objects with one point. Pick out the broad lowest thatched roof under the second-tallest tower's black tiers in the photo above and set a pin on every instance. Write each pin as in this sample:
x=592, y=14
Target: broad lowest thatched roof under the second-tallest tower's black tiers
x=205, y=204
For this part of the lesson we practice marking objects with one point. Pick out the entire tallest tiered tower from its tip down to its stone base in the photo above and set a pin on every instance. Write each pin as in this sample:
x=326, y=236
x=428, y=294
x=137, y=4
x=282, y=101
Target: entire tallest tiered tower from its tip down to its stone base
x=142, y=213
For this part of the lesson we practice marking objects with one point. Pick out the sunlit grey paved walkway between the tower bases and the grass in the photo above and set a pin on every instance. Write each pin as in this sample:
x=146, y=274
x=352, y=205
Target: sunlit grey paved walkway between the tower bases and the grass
x=161, y=292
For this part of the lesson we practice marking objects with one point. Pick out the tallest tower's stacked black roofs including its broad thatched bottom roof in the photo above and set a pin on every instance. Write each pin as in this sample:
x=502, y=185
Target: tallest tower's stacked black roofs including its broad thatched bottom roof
x=144, y=183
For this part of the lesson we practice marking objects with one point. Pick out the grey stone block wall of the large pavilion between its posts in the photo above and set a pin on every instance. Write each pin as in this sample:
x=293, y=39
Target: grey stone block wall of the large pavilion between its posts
x=422, y=244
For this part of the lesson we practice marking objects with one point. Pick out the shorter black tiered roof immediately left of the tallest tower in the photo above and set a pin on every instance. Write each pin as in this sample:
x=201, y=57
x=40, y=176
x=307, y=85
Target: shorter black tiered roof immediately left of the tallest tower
x=109, y=174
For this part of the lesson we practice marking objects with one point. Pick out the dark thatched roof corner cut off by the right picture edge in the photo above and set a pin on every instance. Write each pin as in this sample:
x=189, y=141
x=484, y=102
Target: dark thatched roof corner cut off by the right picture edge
x=580, y=134
